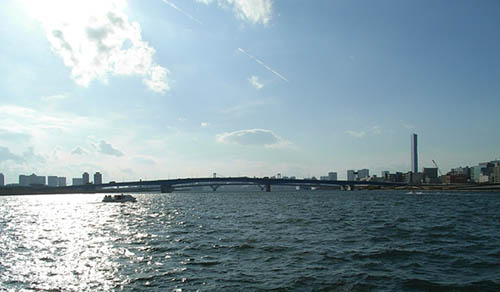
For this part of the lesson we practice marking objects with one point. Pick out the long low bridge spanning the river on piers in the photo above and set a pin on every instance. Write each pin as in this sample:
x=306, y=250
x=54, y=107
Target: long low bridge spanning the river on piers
x=168, y=185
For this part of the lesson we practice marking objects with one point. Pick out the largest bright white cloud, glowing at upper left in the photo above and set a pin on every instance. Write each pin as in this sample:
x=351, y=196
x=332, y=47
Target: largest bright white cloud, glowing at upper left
x=96, y=38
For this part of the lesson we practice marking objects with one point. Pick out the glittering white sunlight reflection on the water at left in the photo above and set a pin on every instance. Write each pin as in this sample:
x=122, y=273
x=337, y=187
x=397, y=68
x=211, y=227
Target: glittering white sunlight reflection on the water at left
x=64, y=242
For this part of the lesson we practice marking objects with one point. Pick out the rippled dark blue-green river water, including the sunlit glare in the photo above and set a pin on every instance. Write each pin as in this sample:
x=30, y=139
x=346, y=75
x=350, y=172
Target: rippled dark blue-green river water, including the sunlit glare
x=295, y=241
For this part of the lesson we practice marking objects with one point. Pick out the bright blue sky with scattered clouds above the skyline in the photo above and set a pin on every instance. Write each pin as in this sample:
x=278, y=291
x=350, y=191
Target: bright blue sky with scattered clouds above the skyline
x=184, y=88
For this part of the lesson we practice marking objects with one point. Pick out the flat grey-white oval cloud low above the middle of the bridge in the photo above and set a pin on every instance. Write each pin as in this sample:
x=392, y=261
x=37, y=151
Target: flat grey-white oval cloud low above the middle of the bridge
x=253, y=137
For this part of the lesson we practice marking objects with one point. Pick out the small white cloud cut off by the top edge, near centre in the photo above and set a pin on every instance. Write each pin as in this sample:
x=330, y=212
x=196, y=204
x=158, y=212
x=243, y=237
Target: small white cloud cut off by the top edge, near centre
x=253, y=11
